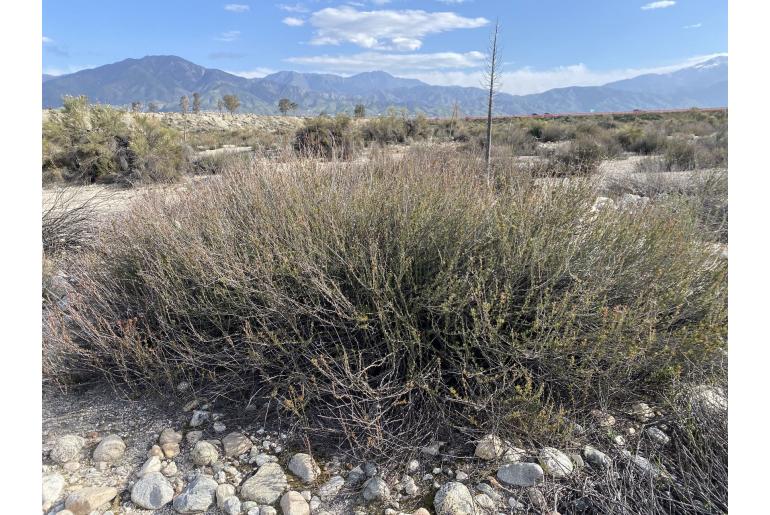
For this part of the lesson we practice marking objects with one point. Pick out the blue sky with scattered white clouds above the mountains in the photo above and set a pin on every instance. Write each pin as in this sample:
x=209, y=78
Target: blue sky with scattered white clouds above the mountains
x=544, y=43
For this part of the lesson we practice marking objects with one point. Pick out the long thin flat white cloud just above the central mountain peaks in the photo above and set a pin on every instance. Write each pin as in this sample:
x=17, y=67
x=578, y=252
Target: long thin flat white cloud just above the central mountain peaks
x=393, y=63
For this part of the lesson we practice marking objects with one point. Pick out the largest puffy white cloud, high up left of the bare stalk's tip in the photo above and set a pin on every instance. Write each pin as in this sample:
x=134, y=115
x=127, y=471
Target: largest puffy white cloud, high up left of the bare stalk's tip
x=384, y=29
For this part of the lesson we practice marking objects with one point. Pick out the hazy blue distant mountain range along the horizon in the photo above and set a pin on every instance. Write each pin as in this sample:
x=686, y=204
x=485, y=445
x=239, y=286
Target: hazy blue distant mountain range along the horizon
x=164, y=79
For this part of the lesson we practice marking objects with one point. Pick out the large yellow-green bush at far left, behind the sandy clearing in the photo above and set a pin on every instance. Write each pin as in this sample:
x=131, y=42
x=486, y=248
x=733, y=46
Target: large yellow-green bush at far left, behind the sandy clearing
x=85, y=144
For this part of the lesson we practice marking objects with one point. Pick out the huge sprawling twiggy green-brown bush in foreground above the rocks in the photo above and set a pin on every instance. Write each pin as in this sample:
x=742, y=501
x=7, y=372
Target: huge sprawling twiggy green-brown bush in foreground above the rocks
x=377, y=302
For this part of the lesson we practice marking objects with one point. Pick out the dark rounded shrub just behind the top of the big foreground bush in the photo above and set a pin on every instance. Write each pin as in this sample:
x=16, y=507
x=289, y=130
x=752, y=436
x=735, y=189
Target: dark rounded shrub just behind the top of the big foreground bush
x=323, y=136
